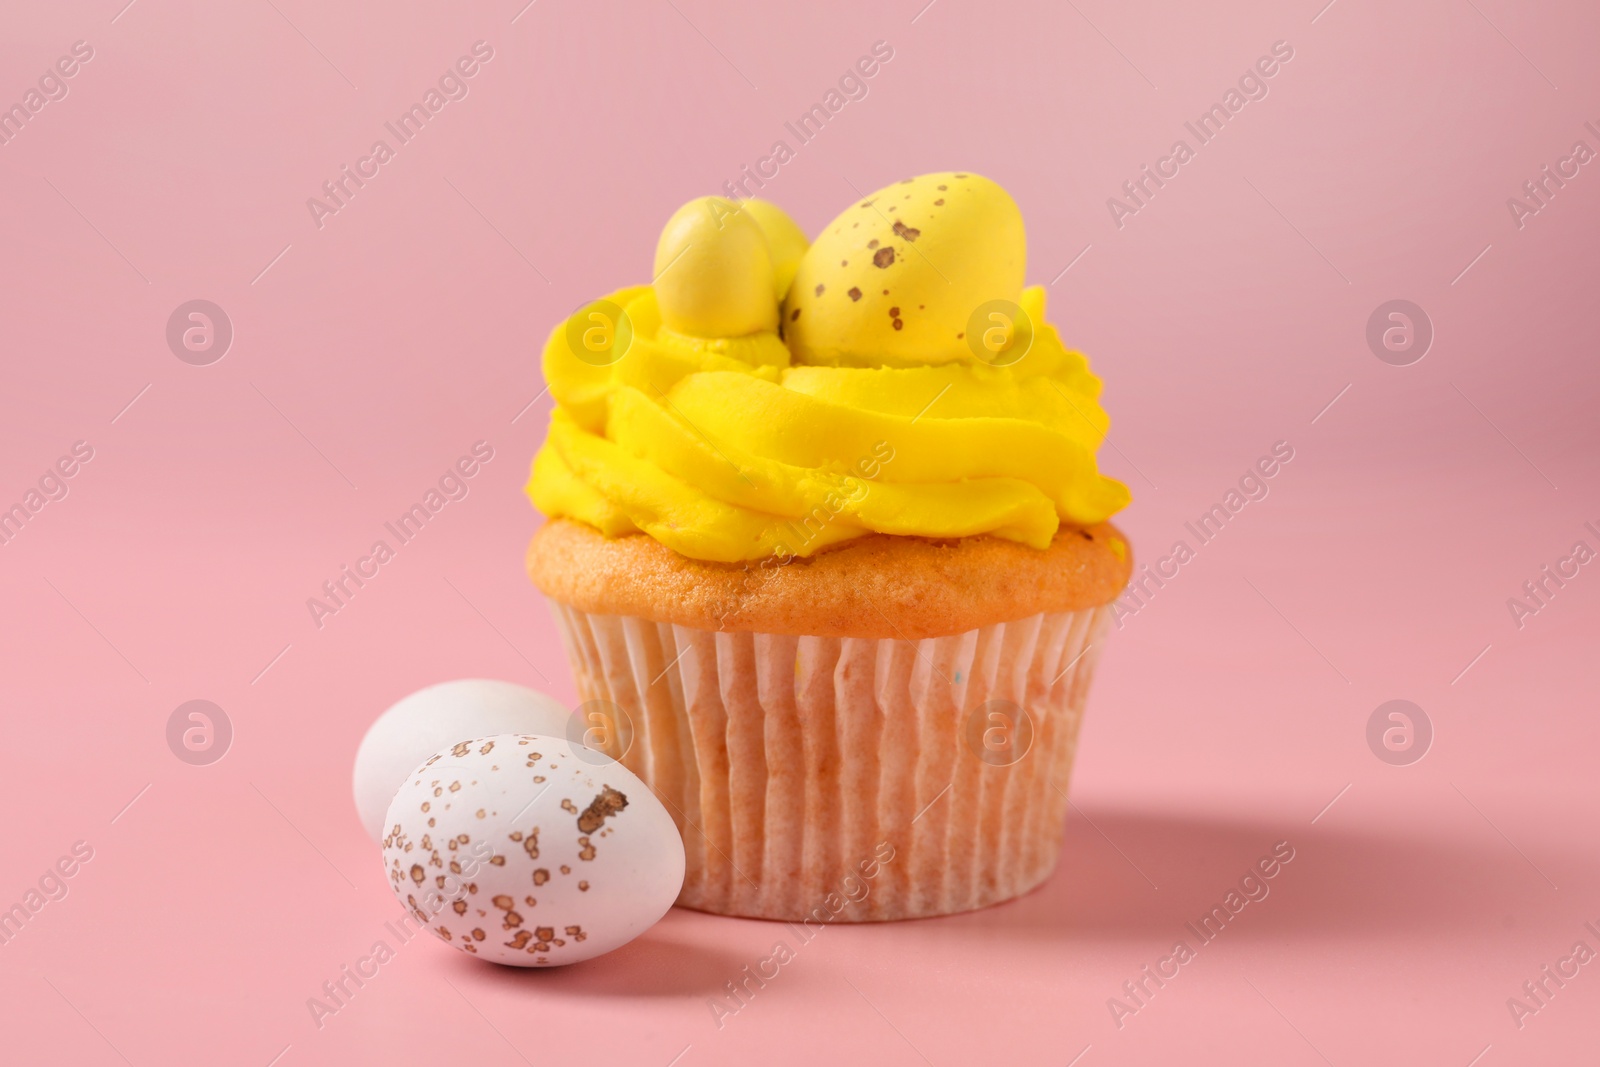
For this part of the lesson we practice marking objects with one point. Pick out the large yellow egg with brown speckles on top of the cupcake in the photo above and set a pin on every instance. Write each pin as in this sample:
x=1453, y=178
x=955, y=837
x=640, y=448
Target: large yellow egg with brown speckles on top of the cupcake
x=900, y=274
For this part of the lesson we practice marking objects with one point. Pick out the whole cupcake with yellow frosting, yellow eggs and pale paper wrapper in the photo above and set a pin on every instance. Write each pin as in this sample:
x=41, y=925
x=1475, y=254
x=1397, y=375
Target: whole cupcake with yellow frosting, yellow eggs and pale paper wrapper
x=830, y=551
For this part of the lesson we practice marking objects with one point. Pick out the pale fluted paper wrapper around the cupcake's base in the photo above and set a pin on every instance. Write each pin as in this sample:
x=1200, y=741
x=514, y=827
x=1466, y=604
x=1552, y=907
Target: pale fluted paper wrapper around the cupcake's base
x=849, y=780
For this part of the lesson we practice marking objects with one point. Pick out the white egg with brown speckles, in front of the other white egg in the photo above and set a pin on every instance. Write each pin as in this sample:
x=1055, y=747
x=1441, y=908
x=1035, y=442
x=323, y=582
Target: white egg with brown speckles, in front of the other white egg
x=530, y=850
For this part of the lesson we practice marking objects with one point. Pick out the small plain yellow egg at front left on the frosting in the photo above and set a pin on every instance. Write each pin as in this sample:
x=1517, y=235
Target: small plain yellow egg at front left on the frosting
x=714, y=273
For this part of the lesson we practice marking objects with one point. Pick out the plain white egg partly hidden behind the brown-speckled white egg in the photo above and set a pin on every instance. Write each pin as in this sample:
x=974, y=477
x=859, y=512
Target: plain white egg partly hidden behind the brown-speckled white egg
x=434, y=719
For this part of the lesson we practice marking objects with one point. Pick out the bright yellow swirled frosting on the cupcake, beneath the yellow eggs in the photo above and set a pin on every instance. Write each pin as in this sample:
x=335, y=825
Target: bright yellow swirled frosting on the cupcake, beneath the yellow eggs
x=726, y=450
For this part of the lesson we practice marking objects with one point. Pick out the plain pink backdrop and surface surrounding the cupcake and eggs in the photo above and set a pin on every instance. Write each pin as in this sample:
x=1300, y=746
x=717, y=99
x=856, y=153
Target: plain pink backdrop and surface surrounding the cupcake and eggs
x=1225, y=318
